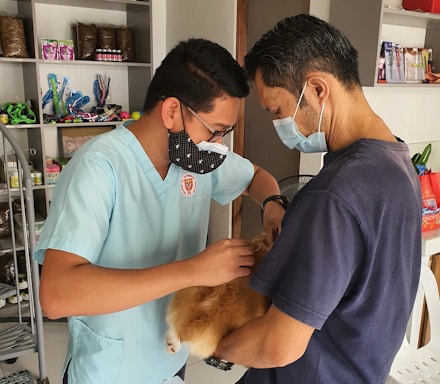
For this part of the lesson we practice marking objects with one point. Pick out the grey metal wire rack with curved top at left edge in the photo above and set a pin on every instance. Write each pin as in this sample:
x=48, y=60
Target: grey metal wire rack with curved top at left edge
x=26, y=334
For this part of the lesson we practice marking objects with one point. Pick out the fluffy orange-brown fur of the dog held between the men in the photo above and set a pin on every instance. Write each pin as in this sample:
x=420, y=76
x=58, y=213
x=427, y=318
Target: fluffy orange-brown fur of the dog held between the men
x=202, y=316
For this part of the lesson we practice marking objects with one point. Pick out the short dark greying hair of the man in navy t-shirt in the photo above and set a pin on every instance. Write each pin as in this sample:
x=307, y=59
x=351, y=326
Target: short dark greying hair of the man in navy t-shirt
x=297, y=45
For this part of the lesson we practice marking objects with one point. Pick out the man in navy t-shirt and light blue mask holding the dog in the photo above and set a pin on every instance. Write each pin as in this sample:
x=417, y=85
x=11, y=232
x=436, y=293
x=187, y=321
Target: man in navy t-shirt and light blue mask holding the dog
x=343, y=274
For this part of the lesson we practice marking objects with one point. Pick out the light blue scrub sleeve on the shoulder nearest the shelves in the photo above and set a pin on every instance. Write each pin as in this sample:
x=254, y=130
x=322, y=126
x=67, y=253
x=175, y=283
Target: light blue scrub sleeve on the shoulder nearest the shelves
x=80, y=209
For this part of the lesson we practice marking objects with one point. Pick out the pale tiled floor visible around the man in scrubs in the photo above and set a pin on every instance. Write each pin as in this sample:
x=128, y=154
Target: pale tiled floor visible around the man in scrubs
x=56, y=336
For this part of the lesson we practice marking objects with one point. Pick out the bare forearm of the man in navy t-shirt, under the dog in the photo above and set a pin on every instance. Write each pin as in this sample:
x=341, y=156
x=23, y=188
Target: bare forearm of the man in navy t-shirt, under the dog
x=272, y=340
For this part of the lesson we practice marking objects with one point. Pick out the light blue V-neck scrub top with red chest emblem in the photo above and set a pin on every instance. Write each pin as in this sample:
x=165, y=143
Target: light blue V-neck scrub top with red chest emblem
x=111, y=207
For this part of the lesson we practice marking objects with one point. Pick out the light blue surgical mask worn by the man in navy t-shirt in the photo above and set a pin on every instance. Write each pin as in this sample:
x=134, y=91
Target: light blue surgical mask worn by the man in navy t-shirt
x=289, y=134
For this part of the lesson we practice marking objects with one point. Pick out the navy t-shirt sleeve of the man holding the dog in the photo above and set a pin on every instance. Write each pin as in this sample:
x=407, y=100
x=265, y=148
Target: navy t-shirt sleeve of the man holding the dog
x=308, y=270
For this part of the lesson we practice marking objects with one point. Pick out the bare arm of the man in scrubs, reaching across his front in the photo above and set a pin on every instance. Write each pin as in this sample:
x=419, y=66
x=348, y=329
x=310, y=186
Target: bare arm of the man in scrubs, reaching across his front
x=71, y=285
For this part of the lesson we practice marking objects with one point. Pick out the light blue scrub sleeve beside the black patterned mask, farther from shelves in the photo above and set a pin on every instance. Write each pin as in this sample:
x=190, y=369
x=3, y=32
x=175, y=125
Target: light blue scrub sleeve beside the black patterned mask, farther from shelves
x=232, y=178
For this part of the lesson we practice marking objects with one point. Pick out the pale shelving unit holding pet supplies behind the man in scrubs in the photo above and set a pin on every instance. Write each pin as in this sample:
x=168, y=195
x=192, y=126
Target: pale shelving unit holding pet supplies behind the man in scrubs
x=26, y=78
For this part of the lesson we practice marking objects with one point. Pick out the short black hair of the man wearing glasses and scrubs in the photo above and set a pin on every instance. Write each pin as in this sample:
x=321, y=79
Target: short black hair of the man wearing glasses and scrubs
x=197, y=71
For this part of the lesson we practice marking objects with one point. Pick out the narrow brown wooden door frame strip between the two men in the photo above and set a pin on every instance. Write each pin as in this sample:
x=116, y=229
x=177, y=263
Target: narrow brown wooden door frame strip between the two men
x=241, y=49
